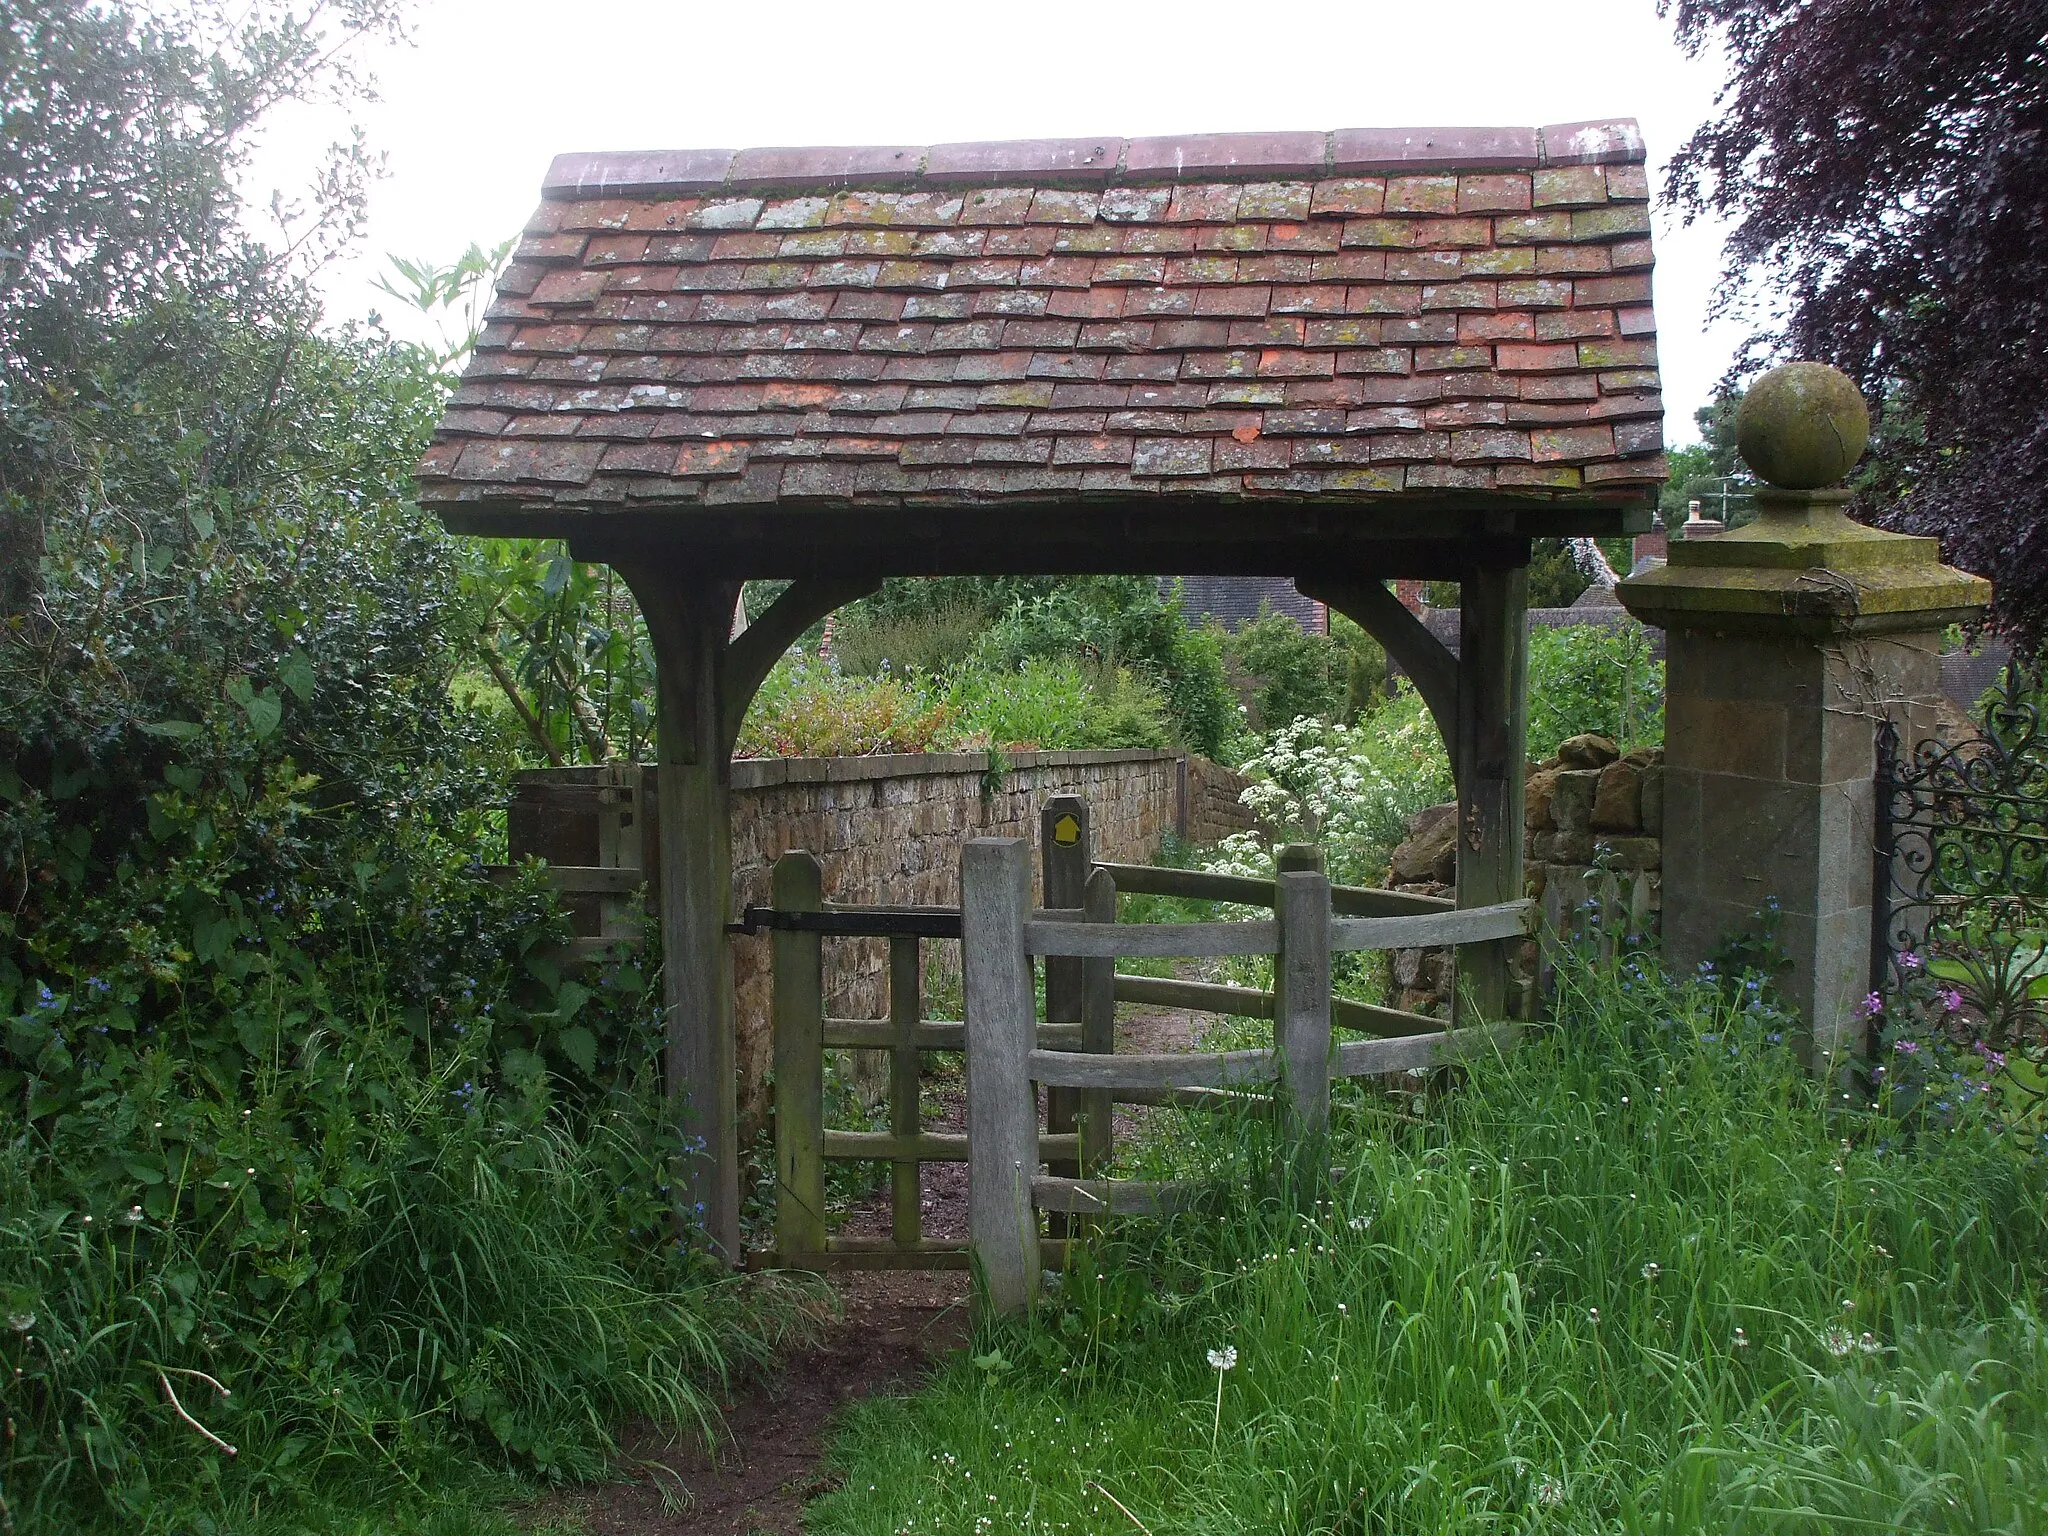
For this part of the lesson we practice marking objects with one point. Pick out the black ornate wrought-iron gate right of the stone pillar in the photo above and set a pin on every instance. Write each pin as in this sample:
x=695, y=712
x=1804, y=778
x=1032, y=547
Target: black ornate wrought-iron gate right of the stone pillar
x=1961, y=878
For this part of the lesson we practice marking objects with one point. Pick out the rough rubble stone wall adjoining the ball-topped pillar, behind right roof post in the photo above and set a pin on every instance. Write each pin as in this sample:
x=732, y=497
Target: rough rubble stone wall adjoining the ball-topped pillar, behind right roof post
x=1594, y=828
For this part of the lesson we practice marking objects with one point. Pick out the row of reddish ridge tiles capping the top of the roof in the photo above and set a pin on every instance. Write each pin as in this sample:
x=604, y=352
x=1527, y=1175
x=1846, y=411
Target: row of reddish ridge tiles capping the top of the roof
x=1099, y=161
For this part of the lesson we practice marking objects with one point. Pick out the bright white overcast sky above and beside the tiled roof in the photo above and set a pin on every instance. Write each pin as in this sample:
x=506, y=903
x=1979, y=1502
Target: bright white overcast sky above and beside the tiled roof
x=490, y=91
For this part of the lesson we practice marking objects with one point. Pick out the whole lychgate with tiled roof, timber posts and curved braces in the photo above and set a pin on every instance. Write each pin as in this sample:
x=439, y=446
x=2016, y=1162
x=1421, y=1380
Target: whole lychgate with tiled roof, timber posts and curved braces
x=1334, y=357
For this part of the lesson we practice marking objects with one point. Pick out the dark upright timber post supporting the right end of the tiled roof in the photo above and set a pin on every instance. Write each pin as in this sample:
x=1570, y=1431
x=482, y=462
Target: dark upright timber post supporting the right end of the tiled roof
x=1490, y=763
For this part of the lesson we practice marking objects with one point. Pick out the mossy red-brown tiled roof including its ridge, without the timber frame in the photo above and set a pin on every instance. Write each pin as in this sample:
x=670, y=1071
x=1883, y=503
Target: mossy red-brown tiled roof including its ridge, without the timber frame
x=1330, y=316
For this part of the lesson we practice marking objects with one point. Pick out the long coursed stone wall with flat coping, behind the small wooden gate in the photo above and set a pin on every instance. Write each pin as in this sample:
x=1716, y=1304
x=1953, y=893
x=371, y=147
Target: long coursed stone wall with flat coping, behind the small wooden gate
x=890, y=830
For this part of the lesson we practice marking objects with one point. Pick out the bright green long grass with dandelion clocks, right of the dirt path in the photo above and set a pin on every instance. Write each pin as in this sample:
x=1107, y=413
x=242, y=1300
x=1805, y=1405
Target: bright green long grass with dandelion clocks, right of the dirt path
x=1644, y=1275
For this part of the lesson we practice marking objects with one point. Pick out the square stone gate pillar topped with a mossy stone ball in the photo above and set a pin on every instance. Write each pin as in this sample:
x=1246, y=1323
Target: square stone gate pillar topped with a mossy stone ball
x=1787, y=642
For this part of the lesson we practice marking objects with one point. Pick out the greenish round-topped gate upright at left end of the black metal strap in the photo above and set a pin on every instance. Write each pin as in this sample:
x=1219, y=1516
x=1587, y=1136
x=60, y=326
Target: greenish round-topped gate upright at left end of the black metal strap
x=800, y=1062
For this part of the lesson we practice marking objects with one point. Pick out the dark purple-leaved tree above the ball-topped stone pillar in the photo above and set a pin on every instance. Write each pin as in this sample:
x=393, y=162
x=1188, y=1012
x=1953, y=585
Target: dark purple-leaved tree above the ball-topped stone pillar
x=1887, y=171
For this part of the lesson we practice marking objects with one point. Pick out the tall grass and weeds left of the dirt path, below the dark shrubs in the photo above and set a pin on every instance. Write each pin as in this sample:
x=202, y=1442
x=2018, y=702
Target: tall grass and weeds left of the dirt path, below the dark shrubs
x=374, y=1299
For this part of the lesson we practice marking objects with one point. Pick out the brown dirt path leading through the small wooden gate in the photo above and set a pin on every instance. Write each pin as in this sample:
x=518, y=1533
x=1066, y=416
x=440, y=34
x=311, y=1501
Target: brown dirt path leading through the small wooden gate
x=892, y=1334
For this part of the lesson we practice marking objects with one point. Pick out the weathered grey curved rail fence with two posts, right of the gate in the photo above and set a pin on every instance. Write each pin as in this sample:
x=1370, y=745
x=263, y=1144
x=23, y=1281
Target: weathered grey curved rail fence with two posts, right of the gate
x=1007, y=1058
